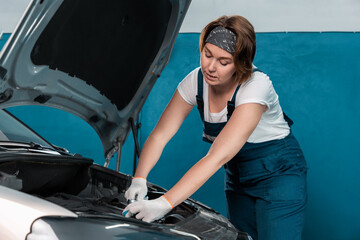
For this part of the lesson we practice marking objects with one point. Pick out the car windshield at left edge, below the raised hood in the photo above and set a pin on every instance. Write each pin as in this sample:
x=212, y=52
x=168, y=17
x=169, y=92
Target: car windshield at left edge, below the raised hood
x=13, y=130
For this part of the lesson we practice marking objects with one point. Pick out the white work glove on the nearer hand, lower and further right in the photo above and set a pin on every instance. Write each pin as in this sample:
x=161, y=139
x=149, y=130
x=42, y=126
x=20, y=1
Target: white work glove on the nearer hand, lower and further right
x=149, y=210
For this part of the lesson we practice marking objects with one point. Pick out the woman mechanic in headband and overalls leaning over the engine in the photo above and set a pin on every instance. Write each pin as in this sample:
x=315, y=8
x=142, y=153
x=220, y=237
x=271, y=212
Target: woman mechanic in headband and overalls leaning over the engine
x=250, y=136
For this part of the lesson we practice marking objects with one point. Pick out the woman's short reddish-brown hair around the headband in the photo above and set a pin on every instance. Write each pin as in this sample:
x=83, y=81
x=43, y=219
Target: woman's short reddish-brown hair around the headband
x=245, y=43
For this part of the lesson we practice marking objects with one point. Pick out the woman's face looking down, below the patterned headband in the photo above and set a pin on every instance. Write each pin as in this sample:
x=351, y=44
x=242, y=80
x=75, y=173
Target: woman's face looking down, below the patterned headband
x=217, y=65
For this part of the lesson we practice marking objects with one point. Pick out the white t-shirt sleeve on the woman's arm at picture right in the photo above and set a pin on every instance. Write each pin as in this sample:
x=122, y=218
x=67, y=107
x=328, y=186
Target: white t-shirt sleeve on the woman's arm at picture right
x=258, y=89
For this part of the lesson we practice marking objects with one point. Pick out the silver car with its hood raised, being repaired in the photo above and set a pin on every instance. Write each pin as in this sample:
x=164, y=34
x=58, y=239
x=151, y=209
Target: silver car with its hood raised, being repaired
x=55, y=59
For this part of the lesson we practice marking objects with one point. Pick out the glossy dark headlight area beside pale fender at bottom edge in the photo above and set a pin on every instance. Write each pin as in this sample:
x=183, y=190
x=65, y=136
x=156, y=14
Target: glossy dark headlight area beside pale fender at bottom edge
x=105, y=229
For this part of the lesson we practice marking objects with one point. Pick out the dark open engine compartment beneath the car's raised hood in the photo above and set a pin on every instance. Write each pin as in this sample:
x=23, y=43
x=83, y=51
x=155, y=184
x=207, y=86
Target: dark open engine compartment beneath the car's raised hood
x=77, y=184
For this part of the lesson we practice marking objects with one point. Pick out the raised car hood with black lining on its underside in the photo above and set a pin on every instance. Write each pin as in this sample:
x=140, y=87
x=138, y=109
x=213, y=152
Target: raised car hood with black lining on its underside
x=95, y=59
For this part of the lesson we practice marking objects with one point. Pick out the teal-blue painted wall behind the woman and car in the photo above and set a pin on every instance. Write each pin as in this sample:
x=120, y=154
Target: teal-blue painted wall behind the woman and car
x=317, y=76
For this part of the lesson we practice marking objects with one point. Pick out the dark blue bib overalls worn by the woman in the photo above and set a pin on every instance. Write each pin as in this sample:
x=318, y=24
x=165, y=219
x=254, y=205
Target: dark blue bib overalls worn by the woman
x=265, y=183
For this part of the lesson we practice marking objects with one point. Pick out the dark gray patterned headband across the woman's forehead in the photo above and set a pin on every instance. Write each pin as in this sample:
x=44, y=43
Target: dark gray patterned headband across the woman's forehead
x=223, y=38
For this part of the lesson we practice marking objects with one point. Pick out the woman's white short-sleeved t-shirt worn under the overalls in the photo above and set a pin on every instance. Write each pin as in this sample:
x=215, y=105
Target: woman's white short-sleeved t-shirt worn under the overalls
x=258, y=89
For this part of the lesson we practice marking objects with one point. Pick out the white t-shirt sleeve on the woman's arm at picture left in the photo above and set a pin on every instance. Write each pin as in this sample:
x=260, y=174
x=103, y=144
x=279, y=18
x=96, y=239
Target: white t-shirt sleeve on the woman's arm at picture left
x=188, y=87
